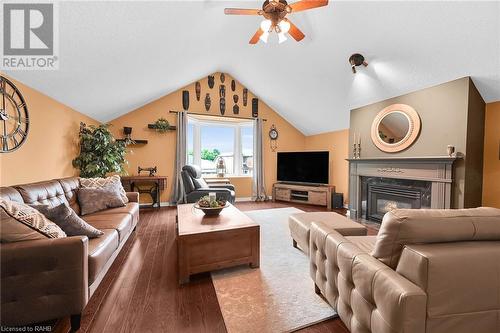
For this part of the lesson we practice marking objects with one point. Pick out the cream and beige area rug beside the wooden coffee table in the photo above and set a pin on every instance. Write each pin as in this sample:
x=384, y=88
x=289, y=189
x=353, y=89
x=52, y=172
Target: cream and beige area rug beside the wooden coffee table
x=277, y=297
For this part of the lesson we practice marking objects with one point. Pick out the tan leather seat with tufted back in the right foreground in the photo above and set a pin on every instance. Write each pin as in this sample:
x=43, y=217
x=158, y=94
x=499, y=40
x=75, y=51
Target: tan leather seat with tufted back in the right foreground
x=426, y=271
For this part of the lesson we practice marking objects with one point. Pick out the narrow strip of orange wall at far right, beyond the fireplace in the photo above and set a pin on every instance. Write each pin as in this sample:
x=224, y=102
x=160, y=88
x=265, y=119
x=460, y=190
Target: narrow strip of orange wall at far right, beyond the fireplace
x=491, y=167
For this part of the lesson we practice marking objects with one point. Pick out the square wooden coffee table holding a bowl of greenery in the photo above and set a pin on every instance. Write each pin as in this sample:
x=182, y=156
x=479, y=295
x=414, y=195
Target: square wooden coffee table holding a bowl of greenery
x=207, y=243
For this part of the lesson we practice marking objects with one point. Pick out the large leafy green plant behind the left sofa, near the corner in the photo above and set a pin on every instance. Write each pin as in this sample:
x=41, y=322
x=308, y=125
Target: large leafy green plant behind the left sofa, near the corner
x=100, y=153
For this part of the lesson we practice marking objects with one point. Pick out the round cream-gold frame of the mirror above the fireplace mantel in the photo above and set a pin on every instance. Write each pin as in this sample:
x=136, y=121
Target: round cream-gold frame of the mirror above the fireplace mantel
x=411, y=135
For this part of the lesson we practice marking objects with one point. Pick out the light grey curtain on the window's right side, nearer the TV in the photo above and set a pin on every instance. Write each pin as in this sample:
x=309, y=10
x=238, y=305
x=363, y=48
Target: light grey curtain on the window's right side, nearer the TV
x=259, y=187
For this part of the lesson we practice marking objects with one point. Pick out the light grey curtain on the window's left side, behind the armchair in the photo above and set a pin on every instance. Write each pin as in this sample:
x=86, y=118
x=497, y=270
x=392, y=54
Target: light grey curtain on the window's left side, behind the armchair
x=179, y=195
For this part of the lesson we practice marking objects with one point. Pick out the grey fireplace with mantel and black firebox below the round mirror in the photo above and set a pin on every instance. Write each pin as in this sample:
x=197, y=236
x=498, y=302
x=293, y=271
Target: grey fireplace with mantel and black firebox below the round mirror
x=377, y=185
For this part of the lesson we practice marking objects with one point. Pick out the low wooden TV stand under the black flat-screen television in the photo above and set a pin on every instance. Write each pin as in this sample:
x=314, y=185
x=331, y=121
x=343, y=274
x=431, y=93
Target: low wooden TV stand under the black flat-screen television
x=306, y=194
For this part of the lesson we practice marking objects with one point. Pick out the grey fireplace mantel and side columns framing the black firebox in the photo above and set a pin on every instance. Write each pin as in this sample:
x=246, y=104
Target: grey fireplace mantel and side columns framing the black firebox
x=435, y=169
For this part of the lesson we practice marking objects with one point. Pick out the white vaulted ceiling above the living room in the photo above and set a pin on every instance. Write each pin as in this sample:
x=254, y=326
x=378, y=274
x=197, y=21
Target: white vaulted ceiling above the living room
x=117, y=56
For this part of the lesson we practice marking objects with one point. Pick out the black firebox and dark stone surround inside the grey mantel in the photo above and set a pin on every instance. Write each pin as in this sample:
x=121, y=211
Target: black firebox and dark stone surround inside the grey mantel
x=381, y=195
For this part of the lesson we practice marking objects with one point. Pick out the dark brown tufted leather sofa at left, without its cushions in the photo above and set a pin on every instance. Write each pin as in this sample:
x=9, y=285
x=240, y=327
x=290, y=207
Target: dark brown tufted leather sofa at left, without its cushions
x=53, y=278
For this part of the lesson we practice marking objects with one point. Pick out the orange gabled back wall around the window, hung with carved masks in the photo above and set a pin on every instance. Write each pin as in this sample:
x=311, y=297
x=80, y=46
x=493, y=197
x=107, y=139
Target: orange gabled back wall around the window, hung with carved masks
x=160, y=150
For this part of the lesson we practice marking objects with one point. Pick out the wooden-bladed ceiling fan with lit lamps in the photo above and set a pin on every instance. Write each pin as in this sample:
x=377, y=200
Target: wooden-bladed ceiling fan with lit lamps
x=275, y=12
